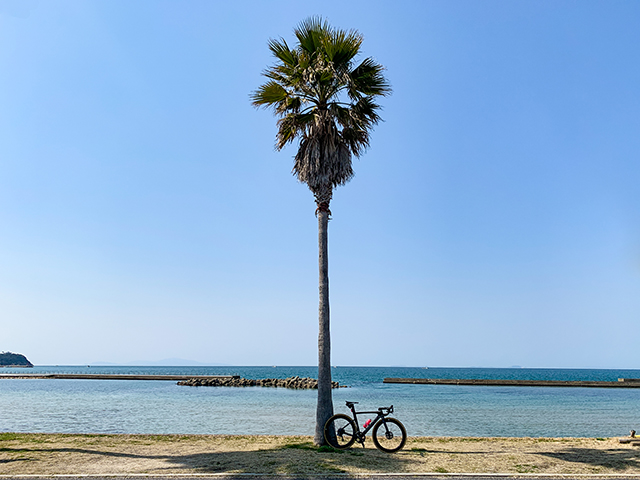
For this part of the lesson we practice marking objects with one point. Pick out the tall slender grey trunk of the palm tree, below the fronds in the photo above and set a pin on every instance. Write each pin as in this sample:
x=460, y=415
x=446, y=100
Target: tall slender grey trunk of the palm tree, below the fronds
x=325, y=402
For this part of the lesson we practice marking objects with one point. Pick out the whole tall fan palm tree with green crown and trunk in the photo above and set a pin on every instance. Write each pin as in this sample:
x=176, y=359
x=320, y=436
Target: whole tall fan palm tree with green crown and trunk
x=325, y=100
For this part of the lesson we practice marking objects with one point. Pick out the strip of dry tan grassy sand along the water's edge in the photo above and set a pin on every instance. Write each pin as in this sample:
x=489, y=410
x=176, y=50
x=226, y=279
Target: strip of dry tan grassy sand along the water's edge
x=50, y=454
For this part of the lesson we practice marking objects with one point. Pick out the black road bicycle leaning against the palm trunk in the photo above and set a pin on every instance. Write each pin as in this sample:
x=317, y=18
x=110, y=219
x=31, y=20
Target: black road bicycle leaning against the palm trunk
x=389, y=435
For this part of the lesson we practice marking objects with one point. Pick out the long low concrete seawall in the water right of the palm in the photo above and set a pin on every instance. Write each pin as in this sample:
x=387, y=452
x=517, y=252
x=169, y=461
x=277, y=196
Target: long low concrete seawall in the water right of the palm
x=621, y=383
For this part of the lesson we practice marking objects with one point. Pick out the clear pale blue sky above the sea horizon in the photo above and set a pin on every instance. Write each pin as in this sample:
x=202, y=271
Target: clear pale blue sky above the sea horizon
x=495, y=220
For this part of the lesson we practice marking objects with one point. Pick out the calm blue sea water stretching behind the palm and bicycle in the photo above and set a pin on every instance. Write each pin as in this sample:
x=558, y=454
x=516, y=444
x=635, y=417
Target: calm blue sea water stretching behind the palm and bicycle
x=125, y=406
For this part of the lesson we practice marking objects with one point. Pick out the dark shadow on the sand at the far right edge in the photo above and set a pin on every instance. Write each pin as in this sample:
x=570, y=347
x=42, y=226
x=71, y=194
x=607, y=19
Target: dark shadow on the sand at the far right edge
x=613, y=458
